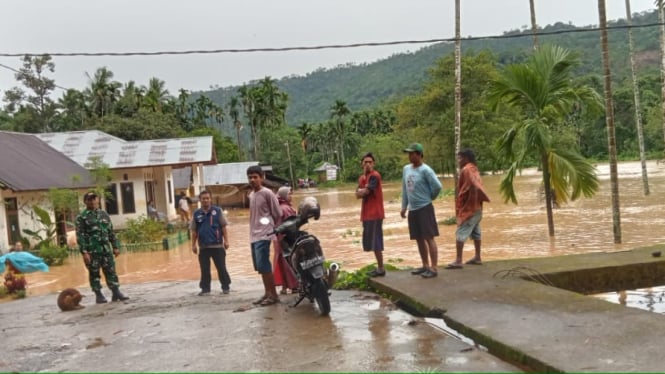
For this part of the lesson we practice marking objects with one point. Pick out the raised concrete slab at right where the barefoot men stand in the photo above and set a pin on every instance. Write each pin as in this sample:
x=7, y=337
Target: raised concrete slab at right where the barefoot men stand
x=568, y=317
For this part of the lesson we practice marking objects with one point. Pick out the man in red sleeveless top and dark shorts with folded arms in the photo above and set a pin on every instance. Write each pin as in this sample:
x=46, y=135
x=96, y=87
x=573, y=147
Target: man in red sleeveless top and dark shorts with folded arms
x=371, y=212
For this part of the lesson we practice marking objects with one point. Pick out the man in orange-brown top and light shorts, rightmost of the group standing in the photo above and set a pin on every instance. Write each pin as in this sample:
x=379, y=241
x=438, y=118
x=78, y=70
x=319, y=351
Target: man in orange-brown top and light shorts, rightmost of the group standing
x=468, y=207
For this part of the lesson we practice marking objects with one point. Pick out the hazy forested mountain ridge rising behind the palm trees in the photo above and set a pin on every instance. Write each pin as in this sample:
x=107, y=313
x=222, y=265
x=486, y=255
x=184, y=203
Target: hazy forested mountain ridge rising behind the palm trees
x=367, y=86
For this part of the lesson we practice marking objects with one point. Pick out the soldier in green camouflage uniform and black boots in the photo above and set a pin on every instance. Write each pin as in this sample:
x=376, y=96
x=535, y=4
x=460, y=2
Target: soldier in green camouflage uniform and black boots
x=99, y=246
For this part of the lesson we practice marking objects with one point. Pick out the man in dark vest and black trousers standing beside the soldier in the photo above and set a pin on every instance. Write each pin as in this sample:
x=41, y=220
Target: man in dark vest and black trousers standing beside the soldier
x=208, y=227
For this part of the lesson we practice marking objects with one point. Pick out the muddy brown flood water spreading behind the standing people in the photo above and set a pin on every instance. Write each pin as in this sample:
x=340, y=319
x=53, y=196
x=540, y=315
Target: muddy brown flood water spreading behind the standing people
x=509, y=231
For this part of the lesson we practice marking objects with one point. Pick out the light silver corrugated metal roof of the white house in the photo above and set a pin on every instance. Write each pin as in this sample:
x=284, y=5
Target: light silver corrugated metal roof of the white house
x=82, y=146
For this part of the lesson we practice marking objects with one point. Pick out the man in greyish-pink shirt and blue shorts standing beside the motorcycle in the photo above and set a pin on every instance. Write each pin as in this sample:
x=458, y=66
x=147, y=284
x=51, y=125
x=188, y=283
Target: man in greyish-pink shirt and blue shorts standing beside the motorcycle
x=263, y=203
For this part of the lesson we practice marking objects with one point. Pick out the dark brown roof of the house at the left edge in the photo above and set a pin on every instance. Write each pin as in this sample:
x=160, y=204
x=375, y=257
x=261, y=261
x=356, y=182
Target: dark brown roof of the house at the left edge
x=29, y=164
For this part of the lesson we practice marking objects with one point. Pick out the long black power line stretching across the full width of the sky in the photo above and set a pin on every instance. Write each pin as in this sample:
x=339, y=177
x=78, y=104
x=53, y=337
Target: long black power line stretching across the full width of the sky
x=319, y=47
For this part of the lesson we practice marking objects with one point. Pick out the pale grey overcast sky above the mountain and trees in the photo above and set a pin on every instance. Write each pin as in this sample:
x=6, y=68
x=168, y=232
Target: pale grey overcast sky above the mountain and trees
x=31, y=26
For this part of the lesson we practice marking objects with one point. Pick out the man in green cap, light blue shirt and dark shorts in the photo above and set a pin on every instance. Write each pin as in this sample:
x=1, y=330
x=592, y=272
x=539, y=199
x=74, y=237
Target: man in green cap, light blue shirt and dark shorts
x=420, y=186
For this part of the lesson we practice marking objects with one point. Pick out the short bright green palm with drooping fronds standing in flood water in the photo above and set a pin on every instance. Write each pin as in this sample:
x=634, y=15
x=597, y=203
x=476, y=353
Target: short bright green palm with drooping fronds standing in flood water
x=541, y=88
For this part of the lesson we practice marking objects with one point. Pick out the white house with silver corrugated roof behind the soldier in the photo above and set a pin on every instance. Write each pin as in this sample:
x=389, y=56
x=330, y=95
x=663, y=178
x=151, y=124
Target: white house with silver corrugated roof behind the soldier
x=141, y=170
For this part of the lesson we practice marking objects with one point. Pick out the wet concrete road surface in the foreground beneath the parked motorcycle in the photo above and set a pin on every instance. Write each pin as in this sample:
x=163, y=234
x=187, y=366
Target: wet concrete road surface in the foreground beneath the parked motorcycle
x=166, y=327
